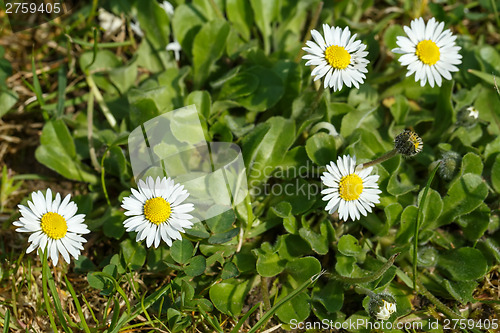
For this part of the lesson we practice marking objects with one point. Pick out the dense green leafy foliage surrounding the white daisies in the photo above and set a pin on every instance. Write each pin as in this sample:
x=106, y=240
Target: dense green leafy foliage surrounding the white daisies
x=241, y=66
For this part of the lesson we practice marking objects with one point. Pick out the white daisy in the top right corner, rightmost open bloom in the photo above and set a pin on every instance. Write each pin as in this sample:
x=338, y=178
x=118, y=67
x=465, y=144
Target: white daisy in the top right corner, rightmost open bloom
x=428, y=51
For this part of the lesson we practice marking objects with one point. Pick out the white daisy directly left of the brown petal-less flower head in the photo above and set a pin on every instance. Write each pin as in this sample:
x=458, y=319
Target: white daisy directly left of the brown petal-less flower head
x=349, y=191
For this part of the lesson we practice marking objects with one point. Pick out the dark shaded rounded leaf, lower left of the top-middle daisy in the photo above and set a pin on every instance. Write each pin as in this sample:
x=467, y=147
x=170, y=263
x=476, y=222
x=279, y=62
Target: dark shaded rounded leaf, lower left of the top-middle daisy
x=268, y=92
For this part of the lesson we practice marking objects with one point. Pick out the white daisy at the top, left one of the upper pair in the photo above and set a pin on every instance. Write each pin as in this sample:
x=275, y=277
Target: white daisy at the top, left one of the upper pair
x=338, y=57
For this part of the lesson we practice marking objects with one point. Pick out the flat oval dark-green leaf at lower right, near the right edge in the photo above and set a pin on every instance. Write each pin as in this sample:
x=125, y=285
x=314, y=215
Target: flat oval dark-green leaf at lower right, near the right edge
x=465, y=263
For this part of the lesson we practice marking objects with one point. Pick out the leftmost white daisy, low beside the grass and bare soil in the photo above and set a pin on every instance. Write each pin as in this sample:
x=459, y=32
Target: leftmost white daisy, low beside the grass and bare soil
x=53, y=225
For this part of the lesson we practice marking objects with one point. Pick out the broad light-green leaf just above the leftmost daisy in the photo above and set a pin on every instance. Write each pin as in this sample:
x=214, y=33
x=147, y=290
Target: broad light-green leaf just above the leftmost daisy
x=57, y=152
